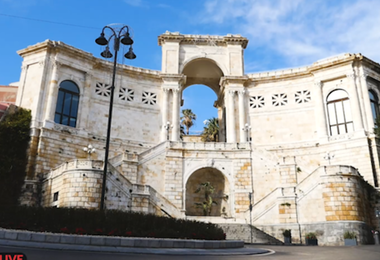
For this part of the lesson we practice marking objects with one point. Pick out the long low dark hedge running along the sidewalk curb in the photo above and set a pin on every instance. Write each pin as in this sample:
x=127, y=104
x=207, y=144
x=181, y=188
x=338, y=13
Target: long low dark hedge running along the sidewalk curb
x=110, y=222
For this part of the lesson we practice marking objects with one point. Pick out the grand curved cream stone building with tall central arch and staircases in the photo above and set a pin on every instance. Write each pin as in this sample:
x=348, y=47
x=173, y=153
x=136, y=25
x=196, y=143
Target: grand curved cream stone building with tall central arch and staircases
x=309, y=161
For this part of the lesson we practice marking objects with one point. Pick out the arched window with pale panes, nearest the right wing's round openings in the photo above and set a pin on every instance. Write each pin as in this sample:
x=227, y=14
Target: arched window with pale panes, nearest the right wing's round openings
x=339, y=111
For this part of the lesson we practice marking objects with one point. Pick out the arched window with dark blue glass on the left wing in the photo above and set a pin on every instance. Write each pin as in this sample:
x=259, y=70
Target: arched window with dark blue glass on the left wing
x=67, y=104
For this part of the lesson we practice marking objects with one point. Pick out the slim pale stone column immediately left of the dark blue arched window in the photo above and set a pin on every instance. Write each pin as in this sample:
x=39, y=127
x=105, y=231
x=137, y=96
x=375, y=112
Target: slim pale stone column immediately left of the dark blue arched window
x=52, y=94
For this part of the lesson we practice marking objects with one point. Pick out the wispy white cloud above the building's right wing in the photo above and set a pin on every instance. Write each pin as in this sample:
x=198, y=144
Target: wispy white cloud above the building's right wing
x=301, y=31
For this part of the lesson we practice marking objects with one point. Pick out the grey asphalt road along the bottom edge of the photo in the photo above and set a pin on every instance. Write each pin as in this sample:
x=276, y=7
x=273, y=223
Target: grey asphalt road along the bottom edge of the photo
x=369, y=252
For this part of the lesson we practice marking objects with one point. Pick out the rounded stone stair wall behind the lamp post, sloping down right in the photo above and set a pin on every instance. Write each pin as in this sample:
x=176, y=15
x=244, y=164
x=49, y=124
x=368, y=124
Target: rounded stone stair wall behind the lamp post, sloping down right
x=78, y=183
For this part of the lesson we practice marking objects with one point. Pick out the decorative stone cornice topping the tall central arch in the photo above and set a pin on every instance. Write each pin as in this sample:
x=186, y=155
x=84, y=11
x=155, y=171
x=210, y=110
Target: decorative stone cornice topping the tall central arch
x=202, y=39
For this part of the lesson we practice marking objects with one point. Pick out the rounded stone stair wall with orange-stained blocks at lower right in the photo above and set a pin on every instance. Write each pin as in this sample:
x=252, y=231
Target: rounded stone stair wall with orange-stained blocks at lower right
x=332, y=200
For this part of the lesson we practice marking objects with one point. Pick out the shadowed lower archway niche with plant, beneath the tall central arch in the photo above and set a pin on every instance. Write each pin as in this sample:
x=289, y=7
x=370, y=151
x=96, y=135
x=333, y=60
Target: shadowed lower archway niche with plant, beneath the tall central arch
x=220, y=195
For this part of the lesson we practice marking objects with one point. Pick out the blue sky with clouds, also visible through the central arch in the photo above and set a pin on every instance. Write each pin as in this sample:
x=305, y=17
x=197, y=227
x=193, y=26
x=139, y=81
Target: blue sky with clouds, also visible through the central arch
x=281, y=33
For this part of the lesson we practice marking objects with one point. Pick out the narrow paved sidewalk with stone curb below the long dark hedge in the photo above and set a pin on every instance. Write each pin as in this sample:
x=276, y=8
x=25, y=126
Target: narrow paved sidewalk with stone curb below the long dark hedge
x=133, y=250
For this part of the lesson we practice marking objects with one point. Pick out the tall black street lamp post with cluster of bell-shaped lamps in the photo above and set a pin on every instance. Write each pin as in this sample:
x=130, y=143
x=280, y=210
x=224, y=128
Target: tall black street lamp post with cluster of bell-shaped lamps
x=119, y=35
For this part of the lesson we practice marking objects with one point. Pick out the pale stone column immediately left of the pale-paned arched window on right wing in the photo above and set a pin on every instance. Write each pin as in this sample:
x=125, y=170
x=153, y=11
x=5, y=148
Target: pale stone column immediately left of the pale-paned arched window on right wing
x=320, y=113
